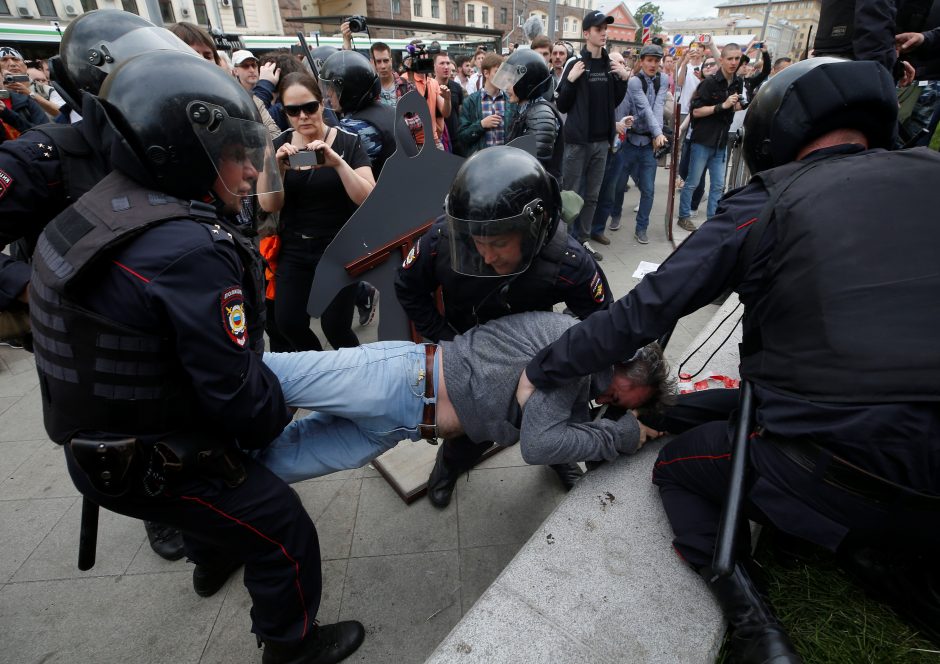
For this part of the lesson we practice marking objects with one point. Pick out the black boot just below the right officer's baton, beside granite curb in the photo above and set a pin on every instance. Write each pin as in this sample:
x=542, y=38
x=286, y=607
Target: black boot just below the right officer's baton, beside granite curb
x=756, y=636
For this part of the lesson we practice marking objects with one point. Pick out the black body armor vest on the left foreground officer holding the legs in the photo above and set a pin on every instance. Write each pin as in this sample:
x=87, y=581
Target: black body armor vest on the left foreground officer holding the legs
x=95, y=374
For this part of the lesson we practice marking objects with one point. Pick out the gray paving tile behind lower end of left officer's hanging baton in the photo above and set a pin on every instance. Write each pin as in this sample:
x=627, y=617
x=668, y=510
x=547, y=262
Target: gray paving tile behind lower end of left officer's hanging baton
x=119, y=539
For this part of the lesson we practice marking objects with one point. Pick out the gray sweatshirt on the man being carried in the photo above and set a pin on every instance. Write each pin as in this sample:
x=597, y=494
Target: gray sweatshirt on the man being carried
x=481, y=371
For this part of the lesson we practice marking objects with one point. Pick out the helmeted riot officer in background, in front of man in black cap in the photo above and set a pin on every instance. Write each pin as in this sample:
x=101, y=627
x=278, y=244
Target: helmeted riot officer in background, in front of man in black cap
x=525, y=76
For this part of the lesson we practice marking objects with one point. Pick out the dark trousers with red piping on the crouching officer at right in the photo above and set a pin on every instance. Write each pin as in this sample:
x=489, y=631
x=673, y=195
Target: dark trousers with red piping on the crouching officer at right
x=692, y=474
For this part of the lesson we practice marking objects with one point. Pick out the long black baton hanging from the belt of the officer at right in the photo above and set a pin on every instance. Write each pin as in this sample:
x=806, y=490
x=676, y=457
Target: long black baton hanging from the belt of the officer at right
x=723, y=561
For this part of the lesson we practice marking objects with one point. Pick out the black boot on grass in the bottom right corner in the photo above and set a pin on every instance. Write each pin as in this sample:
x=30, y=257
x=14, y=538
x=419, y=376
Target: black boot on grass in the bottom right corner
x=908, y=583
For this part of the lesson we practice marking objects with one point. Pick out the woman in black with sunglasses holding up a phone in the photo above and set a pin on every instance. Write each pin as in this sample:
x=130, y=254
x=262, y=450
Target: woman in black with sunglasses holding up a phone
x=315, y=203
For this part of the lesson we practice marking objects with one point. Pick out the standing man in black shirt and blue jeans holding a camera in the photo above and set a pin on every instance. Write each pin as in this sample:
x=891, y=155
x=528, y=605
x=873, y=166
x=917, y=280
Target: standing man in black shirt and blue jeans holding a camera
x=713, y=106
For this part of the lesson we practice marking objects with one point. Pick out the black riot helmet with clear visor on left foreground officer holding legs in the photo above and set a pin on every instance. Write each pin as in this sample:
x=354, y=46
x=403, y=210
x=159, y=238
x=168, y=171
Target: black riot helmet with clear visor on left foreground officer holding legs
x=202, y=128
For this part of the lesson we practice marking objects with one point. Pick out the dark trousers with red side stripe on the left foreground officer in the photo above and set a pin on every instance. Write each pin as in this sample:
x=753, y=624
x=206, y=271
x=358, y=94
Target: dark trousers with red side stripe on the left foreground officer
x=261, y=523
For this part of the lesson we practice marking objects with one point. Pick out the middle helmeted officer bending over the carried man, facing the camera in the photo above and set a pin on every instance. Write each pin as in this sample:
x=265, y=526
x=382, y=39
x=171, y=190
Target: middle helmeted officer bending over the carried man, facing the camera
x=493, y=188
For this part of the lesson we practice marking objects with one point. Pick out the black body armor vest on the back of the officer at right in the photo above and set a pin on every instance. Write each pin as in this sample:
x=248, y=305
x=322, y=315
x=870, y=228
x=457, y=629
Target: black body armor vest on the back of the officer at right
x=850, y=309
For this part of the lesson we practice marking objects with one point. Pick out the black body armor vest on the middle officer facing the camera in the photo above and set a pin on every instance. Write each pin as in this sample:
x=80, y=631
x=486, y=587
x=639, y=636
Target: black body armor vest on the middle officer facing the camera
x=470, y=301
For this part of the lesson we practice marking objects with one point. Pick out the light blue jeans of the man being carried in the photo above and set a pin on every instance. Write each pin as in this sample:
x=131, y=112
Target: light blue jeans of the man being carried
x=366, y=399
